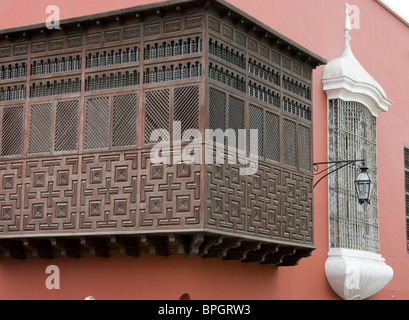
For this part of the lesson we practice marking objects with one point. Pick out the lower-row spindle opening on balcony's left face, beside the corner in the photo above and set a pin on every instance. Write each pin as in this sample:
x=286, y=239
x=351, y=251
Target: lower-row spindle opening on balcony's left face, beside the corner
x=190, y=70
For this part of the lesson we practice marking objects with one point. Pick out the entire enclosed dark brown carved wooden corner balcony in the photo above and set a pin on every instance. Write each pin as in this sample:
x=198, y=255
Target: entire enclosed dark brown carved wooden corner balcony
x=78, y=107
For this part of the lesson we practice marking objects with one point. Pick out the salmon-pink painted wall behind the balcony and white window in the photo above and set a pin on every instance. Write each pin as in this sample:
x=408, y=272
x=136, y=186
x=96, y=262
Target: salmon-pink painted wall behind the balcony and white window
x=381, y=47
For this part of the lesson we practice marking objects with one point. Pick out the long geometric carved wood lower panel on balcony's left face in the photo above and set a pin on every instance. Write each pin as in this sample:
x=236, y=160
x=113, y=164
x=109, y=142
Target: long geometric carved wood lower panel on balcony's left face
x=98, y=192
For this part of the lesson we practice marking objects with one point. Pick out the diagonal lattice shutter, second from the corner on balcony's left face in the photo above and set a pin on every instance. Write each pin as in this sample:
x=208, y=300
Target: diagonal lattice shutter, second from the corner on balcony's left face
x=157, y=111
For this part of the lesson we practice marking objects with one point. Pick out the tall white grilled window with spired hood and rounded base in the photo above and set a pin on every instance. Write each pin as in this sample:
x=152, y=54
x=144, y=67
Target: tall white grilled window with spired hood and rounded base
x=355, y=268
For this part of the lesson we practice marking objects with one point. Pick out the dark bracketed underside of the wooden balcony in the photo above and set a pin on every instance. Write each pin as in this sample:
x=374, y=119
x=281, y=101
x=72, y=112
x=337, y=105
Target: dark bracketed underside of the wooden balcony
x=205, y=245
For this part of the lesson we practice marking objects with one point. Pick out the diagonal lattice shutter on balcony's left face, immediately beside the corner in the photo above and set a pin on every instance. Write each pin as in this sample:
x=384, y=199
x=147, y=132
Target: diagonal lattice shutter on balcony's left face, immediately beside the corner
x=186, y=110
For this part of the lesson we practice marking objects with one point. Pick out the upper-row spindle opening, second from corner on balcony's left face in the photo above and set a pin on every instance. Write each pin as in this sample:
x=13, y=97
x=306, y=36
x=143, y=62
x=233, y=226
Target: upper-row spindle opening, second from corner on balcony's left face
x=113, y=57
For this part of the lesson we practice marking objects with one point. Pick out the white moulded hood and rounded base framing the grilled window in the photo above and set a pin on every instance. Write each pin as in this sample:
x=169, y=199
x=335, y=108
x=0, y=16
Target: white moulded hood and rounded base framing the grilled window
x=354, y=271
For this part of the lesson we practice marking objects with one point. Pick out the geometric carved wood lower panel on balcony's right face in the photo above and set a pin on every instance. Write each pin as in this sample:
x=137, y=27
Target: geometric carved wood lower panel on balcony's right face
x=272, y=204
